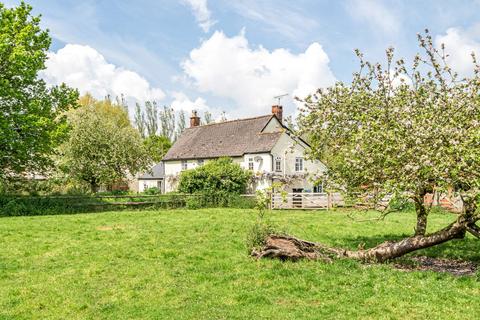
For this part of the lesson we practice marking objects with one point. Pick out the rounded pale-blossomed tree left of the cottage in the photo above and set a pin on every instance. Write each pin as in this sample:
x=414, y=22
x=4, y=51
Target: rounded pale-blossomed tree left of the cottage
x=103, y=147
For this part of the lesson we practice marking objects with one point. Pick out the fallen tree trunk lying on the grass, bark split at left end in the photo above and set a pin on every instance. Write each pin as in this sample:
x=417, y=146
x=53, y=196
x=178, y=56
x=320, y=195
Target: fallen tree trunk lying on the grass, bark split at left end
x=290, y=248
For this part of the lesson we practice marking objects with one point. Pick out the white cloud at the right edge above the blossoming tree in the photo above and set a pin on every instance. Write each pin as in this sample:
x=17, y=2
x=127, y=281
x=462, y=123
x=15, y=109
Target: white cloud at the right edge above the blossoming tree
x=459, y=45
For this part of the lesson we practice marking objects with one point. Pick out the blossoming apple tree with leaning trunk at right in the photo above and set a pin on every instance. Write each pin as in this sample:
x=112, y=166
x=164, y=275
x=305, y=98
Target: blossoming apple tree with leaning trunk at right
x=402, y=131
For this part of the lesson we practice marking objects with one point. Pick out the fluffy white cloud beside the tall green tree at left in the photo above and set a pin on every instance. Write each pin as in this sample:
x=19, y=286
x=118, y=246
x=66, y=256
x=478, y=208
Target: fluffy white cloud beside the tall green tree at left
x=85, y=68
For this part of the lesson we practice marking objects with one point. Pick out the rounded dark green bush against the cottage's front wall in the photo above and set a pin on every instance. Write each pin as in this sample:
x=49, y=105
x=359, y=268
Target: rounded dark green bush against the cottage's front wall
x=221, y=176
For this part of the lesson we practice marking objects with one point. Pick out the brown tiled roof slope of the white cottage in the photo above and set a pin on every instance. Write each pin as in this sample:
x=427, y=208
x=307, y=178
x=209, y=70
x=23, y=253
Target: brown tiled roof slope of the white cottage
x=231, y=138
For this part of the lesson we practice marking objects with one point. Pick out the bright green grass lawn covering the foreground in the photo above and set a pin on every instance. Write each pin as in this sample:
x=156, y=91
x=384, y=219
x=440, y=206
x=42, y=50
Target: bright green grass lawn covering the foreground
x=183, y=264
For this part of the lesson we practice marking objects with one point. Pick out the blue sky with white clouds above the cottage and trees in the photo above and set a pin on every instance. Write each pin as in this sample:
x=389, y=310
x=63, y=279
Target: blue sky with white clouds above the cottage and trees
x=236, y=56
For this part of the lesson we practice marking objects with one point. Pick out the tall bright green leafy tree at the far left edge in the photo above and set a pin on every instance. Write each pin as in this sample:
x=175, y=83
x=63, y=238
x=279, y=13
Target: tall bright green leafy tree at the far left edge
x=31, y=121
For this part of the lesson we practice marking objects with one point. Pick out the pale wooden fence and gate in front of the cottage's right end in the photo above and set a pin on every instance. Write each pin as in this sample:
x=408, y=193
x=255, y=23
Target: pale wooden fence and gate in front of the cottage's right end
x=307, y=200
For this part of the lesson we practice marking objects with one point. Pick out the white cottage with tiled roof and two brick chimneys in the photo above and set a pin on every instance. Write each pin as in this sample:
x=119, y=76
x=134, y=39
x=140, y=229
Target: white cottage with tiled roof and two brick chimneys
x=261, y=144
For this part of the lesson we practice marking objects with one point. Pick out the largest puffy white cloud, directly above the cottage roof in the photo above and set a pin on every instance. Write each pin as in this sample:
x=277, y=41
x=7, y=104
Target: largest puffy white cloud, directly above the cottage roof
x=251, y=77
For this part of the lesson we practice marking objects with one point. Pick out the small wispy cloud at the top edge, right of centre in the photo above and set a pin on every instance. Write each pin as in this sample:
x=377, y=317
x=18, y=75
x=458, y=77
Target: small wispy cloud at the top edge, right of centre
x=376, y=13
